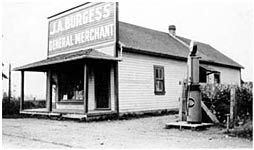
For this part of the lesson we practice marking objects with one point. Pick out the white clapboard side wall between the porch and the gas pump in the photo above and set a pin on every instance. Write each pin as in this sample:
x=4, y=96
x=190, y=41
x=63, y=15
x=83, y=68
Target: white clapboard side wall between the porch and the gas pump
x=136, y=83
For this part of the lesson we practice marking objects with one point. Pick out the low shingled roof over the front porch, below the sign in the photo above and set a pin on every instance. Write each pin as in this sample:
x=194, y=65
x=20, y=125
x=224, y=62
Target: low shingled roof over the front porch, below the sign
x=82, y=54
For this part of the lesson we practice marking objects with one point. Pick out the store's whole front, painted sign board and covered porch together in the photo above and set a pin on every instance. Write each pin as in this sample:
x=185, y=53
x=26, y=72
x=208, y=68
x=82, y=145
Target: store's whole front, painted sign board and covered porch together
x=82, y=61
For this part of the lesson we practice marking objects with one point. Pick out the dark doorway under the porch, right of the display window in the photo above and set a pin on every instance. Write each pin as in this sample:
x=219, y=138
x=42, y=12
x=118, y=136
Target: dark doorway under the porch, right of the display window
x=102, y=86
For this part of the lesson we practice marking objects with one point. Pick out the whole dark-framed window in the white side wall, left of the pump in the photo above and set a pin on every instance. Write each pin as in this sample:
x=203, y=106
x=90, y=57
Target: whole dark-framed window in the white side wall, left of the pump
x=159, y=80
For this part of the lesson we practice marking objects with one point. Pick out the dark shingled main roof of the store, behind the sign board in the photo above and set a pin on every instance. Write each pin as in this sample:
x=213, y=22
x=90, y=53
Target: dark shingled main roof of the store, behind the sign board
x=143, y=39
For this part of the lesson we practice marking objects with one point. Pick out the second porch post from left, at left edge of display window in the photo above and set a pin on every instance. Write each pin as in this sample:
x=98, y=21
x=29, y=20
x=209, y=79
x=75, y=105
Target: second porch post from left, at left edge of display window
x=49, y=92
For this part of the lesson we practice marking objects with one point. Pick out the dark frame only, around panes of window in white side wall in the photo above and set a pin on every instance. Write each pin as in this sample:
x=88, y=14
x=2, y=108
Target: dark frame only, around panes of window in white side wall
x=161, y=79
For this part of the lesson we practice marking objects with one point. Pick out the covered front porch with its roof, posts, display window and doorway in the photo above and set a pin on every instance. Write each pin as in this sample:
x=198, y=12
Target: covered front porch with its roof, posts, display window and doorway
x=82, y=83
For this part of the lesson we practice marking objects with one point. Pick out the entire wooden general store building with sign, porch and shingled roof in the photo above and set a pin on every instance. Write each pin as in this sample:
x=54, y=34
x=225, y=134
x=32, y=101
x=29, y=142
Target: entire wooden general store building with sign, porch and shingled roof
x=97, y=65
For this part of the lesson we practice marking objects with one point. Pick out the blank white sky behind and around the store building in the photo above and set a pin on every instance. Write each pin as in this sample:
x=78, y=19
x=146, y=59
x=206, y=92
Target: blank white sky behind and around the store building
x=226, y=25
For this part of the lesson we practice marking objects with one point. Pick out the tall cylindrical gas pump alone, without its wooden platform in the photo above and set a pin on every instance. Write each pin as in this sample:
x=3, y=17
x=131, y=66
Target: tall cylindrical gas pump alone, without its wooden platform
x=194, y=114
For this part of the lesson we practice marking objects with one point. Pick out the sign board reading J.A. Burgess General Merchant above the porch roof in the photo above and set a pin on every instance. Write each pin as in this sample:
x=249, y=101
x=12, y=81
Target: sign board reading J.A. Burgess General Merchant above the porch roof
x=92, y=25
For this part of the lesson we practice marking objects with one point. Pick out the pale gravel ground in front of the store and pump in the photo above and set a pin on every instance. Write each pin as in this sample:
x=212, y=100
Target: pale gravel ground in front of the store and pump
x=146, y=132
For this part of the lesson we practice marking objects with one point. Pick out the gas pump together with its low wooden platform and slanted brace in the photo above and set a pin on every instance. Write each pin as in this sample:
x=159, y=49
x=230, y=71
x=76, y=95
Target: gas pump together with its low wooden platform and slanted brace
x=190, y=113
